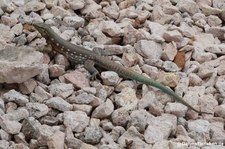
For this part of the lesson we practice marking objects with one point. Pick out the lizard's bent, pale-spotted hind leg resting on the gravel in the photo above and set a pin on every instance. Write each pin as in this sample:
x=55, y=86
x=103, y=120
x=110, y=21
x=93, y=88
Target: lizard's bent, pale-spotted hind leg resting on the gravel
x=89, y=65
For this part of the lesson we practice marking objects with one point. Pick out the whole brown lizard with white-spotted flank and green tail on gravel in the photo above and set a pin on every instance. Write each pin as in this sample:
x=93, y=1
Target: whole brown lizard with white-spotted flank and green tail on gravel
x=90, y=59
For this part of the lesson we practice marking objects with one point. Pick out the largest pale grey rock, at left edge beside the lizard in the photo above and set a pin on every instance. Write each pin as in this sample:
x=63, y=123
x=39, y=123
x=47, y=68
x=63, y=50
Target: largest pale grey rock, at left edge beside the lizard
x=18, y=64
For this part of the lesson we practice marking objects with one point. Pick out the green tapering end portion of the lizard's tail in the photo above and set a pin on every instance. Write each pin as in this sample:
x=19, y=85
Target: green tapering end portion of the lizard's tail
x=165, y=89
